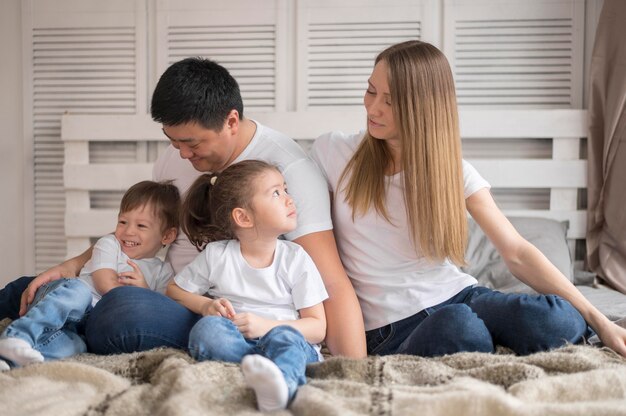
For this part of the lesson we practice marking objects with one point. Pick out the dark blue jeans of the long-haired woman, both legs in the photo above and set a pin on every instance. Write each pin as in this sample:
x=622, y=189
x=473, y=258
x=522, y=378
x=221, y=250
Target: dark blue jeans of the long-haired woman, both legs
x=477, y=319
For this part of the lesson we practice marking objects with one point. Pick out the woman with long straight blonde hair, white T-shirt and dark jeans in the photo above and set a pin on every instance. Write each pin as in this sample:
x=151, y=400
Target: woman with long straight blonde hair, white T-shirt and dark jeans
x=400, y=196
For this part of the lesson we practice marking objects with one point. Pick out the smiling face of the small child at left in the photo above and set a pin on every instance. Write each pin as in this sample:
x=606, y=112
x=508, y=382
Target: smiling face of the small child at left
x=139, y=233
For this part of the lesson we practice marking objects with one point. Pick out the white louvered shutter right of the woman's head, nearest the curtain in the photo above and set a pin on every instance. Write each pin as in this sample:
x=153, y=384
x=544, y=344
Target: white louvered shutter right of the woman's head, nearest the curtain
x=513, y=54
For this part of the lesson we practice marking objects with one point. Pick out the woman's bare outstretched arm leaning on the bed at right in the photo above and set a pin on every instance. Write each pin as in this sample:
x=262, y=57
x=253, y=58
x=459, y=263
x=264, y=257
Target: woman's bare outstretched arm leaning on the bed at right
x=528, y=264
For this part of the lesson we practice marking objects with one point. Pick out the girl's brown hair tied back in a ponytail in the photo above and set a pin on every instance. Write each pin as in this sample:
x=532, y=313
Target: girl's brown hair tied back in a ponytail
x=211, y=199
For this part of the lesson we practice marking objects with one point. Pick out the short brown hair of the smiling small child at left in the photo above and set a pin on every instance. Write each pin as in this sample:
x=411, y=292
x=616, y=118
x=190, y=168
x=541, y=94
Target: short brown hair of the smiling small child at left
x=163, y=197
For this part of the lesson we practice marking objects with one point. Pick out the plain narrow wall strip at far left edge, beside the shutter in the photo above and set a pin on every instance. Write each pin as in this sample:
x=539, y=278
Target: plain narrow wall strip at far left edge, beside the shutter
x=12, y=160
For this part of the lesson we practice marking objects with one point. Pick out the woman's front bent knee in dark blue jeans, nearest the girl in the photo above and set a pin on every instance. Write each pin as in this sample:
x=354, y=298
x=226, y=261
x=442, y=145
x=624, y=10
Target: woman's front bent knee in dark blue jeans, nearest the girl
x=448, y=329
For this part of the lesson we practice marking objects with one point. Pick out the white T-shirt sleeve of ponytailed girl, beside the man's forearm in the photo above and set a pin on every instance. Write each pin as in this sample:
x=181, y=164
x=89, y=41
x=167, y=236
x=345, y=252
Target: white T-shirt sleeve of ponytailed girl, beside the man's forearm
x=307, y=286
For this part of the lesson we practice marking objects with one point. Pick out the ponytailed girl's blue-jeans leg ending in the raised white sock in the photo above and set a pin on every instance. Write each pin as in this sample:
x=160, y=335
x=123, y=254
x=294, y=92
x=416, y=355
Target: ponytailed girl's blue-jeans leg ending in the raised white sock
x=291, y=352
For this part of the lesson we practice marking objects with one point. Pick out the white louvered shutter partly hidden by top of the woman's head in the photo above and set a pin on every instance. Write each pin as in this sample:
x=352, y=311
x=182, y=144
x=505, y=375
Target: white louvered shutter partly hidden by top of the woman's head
x=338, y=41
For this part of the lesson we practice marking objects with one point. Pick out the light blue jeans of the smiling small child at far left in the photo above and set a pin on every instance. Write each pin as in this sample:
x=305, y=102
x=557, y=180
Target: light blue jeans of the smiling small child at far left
x=53, y=320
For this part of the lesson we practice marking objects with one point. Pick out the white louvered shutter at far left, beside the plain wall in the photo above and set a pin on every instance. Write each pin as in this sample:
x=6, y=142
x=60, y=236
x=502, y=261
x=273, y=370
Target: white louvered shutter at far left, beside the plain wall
x=83, y=57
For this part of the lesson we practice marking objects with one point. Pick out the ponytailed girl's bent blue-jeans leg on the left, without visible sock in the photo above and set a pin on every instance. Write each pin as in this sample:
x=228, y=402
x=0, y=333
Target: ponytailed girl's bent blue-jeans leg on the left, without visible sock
x=217, y=338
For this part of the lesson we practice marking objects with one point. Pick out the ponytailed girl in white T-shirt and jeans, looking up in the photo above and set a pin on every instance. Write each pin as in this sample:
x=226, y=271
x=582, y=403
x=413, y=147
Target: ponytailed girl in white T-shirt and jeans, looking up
x=265, y=306
